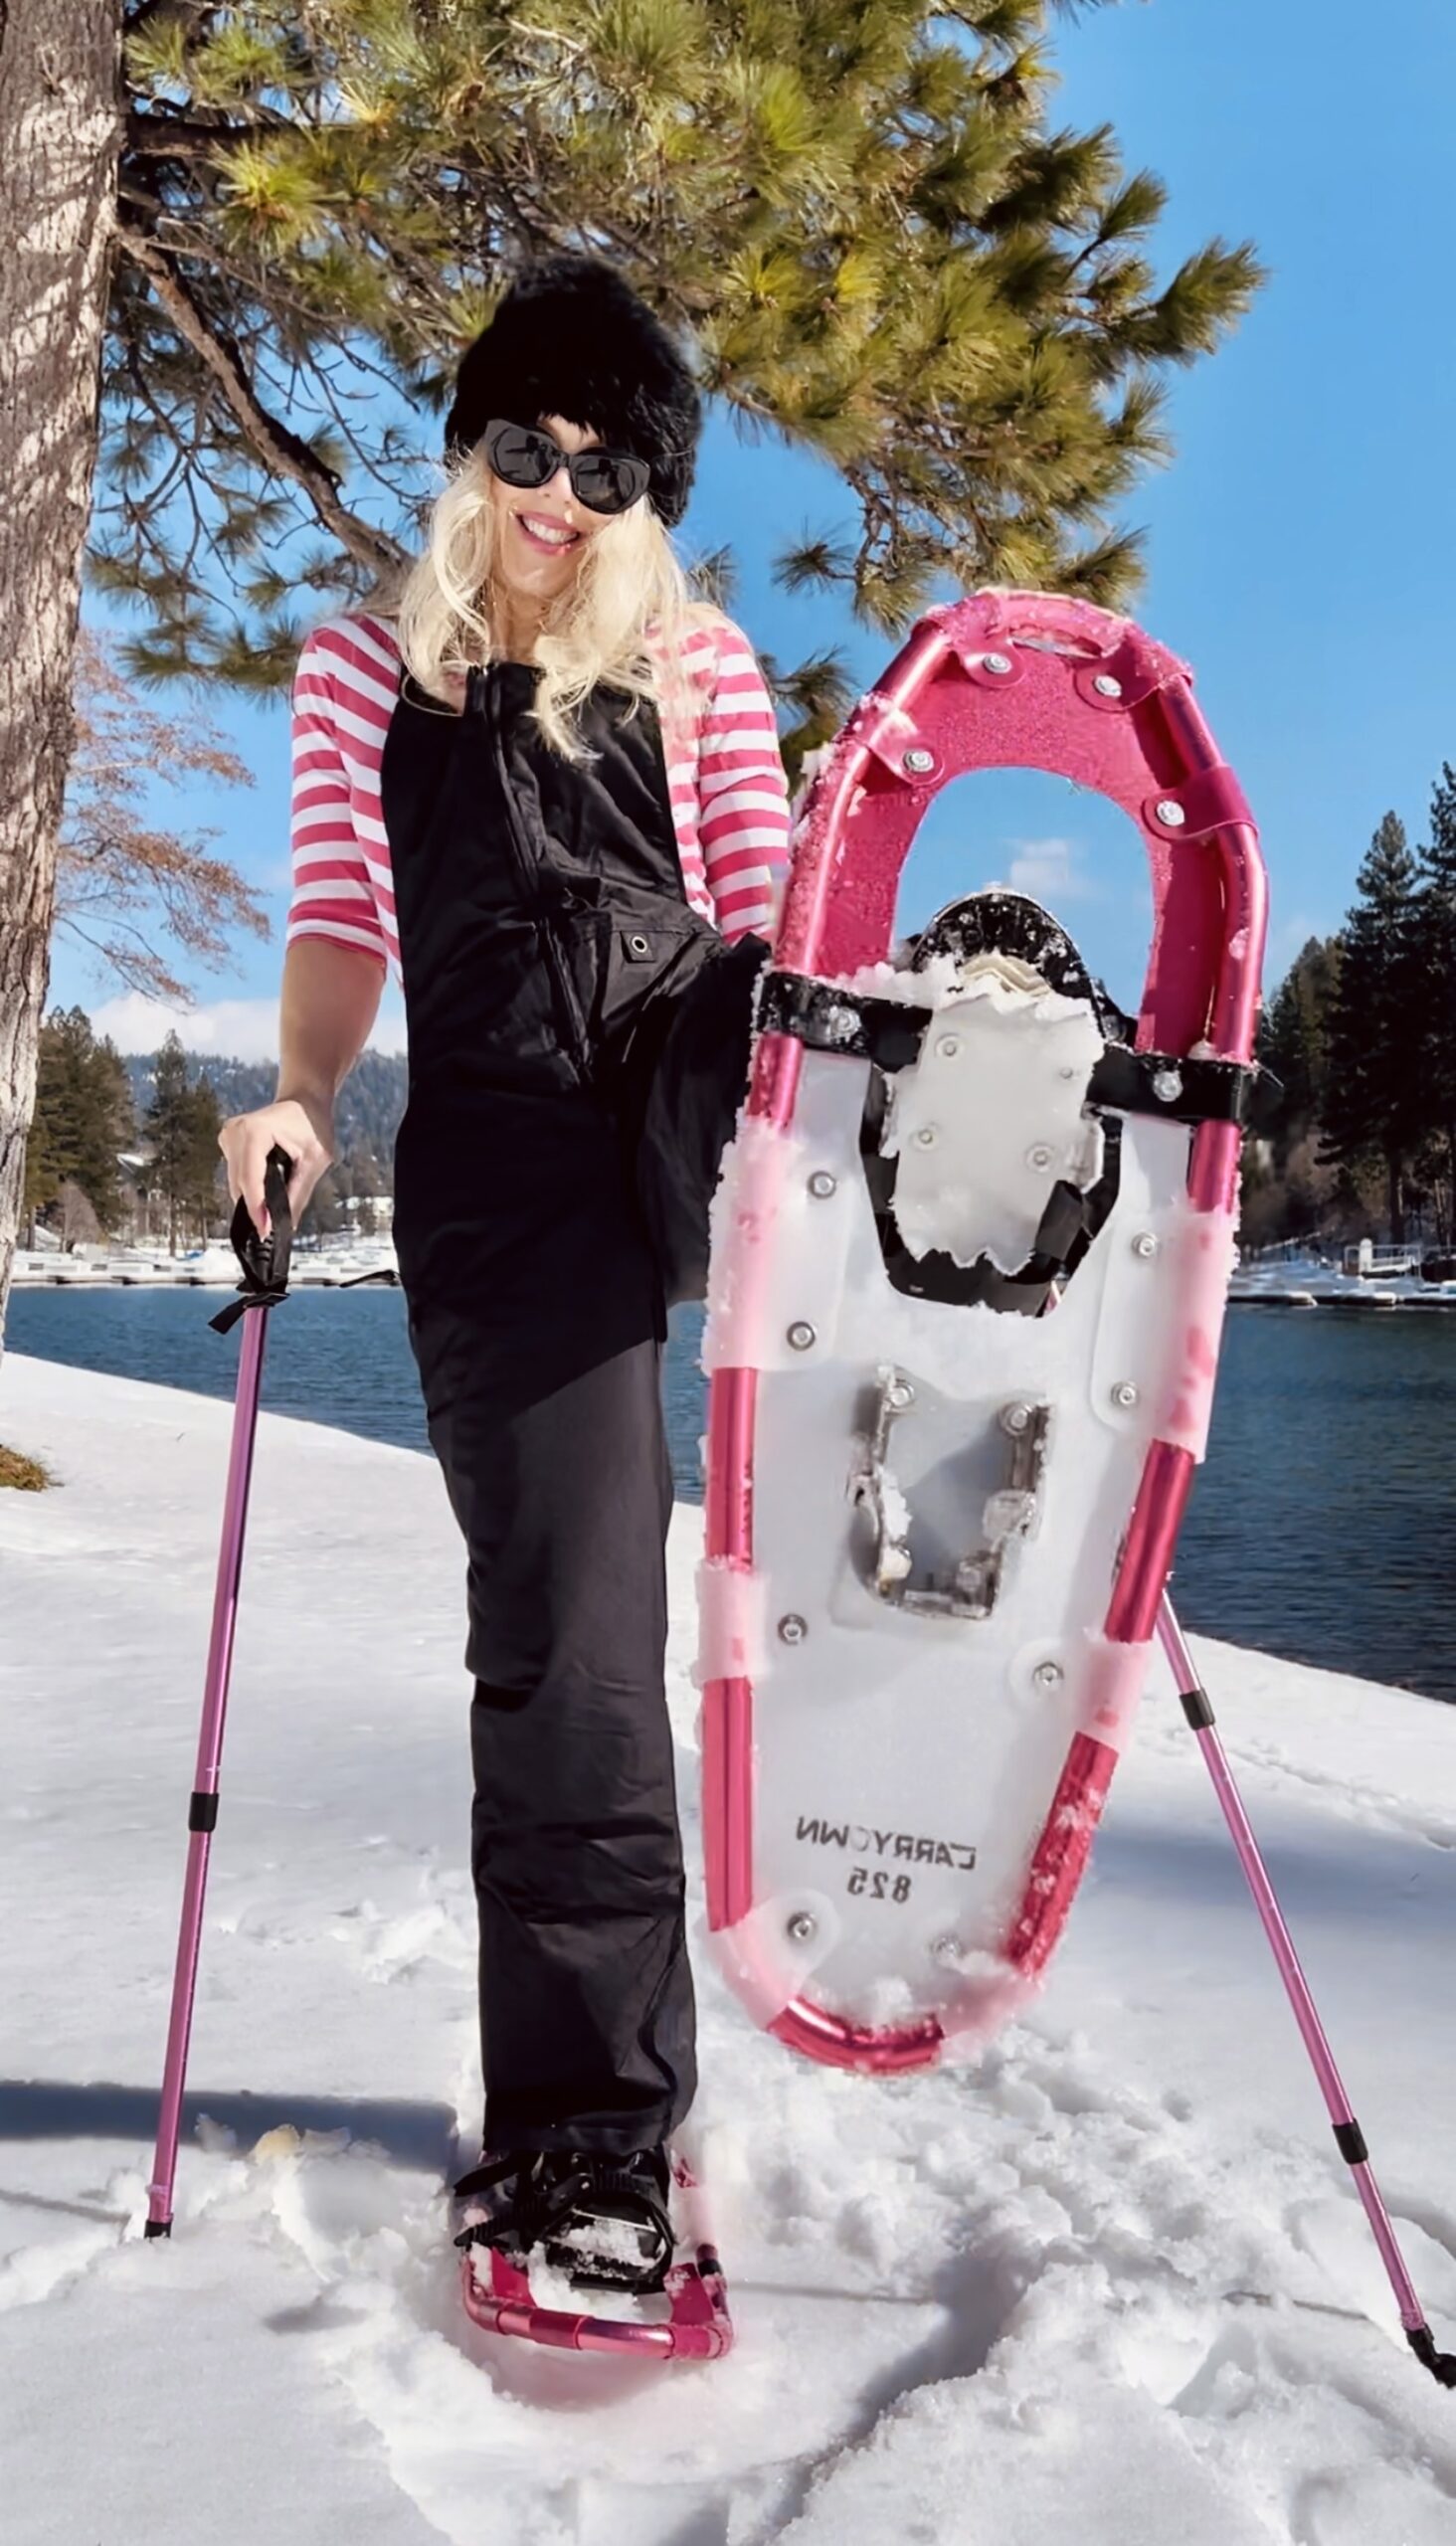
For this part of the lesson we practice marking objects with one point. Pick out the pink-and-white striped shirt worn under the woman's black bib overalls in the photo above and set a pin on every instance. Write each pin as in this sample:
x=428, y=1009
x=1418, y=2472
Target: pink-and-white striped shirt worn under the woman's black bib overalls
x=724, y=775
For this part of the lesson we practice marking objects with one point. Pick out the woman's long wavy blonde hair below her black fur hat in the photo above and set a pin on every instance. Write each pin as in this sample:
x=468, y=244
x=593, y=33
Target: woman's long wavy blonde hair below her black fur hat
x=622, y=620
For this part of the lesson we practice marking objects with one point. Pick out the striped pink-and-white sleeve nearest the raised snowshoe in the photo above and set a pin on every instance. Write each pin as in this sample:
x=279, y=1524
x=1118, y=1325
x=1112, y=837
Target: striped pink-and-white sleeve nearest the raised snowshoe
x=742, y=796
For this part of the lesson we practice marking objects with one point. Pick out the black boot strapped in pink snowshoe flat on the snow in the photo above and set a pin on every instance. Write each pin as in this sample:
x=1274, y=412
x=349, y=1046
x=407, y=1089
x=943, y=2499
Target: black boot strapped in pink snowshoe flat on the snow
x=546, y=2229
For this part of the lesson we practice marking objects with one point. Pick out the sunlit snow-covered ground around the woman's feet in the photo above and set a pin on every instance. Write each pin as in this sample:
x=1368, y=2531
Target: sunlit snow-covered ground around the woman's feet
x=1106, y=2285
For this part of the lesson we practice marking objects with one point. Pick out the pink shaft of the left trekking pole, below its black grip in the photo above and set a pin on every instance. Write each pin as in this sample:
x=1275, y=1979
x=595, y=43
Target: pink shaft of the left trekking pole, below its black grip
x=207, y=1766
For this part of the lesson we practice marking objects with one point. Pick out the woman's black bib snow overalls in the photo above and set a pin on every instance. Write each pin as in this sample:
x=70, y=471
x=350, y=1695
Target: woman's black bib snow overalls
x=579, y=1045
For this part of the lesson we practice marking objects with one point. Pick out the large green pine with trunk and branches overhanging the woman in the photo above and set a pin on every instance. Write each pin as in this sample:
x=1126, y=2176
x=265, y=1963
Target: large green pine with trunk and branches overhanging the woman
x=857, y=213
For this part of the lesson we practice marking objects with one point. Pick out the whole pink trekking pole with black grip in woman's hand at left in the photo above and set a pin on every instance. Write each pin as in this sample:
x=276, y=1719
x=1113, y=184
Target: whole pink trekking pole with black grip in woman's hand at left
x=263, y=1284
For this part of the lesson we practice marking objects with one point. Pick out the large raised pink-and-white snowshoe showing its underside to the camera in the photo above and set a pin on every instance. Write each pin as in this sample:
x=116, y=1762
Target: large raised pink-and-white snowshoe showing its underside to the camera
x=969, y=1277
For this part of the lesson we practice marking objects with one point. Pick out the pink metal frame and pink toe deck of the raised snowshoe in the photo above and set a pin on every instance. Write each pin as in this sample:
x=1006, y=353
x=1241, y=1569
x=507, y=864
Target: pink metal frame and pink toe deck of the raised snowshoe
x=999, y=681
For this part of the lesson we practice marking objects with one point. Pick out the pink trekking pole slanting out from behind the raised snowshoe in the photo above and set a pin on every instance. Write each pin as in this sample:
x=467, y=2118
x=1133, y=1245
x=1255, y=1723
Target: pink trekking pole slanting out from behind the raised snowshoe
x=1348, y=2135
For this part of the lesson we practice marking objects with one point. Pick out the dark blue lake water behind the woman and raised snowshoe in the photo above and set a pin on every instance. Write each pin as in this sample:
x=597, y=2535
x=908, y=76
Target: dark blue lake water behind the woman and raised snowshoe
x=1322, y=1526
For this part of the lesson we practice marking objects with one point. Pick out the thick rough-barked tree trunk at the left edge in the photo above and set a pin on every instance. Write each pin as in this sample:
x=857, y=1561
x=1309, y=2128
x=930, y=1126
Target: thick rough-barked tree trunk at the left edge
x=60, y=139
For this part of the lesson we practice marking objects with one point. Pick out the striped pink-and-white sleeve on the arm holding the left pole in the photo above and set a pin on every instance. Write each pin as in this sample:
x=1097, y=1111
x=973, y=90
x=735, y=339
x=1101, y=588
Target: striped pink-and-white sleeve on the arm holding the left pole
x=332, y=887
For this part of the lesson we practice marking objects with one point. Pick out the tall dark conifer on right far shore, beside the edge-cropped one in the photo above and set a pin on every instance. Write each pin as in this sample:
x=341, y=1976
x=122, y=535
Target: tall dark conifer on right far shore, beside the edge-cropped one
x=1373, y=1078
